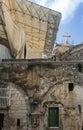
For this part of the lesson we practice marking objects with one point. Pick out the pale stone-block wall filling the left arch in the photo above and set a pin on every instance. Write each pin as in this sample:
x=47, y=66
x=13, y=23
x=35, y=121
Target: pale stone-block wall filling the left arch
x=15, y=118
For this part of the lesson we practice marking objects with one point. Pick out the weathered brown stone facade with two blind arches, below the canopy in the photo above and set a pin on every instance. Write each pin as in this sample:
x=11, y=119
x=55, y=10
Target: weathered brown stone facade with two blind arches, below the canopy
x=35, y=86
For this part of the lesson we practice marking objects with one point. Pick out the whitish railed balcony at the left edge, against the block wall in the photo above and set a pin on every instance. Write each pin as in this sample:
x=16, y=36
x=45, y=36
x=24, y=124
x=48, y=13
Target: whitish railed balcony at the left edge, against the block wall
x=4, y=97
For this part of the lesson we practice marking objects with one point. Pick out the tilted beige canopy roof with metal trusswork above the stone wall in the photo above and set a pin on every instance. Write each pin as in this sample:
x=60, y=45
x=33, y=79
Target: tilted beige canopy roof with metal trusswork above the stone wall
x=40, y=25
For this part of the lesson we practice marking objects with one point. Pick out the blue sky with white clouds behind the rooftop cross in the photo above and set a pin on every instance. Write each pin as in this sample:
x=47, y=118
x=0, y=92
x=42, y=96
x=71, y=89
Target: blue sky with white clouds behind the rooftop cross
x=72, y=18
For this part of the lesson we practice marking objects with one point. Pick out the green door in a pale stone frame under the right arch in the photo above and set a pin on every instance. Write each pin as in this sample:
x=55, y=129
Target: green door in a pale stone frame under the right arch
x=53, y=117
